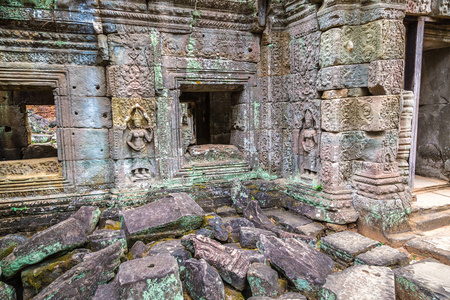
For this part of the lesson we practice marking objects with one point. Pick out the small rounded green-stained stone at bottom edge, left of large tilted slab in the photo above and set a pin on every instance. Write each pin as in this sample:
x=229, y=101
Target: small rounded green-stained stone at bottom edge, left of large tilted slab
x=263, y=280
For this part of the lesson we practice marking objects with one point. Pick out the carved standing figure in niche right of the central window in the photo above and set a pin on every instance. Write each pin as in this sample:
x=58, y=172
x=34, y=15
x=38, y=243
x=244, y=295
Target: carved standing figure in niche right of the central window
x=308, y=144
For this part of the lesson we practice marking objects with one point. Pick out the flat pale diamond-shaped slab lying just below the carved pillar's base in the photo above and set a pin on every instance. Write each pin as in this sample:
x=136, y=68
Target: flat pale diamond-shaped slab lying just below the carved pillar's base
x=345, y=246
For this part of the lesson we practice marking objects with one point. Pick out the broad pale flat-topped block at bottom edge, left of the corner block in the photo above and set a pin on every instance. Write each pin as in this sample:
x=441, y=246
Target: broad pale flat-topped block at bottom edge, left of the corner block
x=360, y=282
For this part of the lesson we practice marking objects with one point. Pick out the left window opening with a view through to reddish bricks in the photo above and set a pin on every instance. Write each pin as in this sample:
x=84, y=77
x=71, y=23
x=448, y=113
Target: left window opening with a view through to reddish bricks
x=27, y=124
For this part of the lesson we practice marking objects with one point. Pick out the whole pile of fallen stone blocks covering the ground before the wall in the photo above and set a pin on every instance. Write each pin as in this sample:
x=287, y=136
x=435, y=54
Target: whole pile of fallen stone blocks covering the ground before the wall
x=172, y=249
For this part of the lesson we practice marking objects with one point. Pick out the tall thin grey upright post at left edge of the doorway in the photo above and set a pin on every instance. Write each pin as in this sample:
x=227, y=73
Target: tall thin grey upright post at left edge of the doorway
x=413, y=70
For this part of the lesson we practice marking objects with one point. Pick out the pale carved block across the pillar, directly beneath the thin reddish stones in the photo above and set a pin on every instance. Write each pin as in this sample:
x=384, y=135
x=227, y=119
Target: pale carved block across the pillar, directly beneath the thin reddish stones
x=376, y=113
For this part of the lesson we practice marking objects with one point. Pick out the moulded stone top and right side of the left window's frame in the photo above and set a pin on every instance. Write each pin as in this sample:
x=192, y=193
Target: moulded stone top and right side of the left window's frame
x=15, y=76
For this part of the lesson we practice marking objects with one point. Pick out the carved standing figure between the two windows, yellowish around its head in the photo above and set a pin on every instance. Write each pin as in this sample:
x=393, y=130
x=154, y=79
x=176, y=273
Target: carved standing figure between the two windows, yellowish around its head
x=137, y=139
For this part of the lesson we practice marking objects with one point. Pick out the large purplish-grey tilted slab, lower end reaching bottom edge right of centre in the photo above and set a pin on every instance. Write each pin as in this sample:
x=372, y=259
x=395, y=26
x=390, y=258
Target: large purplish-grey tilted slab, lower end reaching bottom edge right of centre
x=303, y=265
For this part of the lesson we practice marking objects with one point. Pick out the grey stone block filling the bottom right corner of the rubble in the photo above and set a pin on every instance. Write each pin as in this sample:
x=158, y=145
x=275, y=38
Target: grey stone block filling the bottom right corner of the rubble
x=426, y=279
